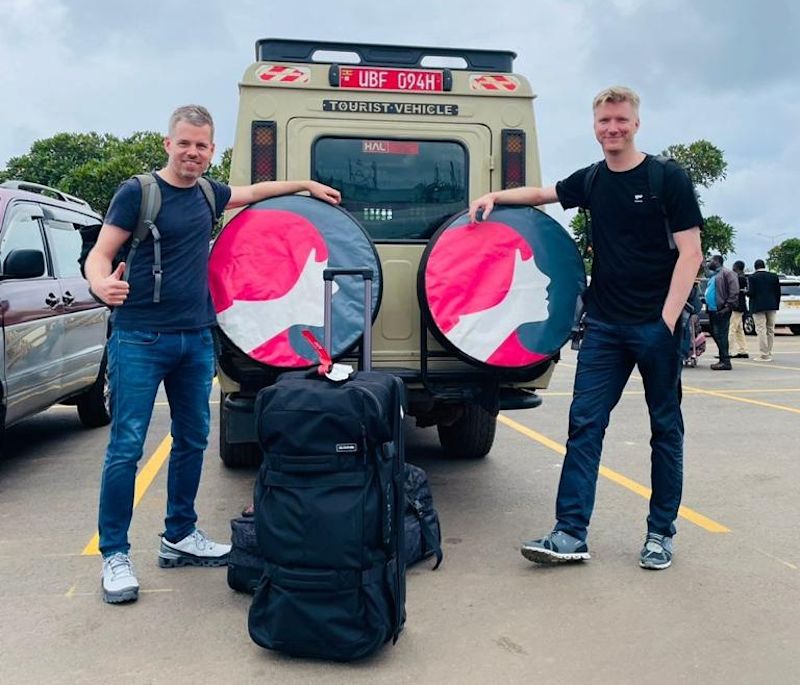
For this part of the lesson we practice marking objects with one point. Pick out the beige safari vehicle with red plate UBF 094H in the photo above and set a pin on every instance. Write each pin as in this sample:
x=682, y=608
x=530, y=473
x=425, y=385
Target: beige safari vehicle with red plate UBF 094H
x=462, y=123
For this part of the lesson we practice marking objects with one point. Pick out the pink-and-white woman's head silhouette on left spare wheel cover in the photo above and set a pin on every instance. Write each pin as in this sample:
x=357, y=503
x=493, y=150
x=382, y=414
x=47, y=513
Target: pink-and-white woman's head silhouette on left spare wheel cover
x=266, y=278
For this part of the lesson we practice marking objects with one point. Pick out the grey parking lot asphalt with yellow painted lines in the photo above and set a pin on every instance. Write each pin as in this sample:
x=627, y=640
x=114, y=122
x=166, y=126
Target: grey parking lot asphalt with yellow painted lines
x=725, y=612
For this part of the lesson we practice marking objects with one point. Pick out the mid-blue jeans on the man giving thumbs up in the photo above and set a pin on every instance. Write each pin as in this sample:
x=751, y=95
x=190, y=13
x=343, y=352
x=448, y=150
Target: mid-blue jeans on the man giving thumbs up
x=138, y=361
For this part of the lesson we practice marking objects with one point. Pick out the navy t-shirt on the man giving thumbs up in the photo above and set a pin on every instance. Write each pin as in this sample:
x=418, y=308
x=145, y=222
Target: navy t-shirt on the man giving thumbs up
x=185, y=224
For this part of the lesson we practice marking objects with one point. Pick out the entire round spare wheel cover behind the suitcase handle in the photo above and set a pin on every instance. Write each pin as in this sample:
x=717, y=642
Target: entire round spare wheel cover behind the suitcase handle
x=265, y=277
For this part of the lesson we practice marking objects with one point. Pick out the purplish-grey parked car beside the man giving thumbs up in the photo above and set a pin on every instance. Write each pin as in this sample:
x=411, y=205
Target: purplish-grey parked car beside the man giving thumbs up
x=54, y=332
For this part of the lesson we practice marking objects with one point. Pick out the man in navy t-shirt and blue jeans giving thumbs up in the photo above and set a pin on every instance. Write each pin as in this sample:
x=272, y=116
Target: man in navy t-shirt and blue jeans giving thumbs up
x=165, y=338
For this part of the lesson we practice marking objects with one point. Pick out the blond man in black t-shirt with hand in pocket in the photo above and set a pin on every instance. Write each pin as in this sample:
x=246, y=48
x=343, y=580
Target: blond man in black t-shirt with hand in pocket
x=639, y=285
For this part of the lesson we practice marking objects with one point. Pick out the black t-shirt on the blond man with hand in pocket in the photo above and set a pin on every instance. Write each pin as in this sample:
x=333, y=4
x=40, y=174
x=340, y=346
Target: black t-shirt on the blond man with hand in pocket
x=632, y=261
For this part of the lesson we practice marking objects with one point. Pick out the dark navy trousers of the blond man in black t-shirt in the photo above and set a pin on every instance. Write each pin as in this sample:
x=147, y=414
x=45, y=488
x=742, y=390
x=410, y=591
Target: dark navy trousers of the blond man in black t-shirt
x=605, y=362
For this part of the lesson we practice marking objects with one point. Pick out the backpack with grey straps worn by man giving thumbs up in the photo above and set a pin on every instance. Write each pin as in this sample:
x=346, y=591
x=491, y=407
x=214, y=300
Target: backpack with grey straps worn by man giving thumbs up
x=149, y=208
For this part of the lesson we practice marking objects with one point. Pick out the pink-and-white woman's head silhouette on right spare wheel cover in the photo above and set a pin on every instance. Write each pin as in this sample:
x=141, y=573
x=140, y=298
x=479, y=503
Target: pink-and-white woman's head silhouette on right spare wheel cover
x=483, y=286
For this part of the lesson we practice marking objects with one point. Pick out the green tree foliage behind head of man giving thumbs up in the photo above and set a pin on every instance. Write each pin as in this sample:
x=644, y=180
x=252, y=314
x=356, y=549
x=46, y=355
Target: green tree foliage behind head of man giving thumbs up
x=92, y=166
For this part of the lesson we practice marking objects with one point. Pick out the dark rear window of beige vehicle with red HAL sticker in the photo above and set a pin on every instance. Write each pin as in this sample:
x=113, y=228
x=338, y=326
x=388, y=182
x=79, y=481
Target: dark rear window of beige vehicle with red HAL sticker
x=397, y=189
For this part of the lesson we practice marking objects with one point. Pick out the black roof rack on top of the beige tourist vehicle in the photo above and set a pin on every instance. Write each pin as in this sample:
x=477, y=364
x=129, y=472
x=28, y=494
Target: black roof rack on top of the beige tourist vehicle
x=368, y=54
